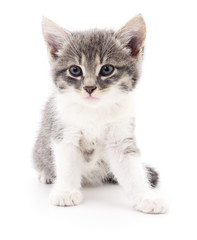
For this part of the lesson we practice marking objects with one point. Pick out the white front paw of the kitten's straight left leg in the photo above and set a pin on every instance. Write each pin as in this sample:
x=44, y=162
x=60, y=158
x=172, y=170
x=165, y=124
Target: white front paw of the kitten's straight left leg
x=65, y=198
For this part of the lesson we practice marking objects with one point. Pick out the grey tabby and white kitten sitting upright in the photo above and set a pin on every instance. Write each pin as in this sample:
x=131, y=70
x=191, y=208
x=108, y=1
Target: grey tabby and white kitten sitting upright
x=87, y=132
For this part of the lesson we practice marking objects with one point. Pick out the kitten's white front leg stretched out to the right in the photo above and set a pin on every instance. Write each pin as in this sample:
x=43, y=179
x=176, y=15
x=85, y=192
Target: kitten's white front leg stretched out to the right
x=126, y=166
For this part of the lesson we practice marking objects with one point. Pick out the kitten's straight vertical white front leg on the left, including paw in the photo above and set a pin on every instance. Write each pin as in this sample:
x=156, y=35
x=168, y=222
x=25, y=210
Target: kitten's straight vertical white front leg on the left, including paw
x=68, y=160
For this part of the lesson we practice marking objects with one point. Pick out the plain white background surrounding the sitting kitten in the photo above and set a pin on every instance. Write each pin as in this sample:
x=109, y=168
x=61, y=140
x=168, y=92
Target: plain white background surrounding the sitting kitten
x=166, y=121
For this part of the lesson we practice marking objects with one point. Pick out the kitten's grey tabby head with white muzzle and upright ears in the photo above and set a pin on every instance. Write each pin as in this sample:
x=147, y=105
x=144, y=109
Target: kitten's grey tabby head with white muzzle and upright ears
x=95, y=67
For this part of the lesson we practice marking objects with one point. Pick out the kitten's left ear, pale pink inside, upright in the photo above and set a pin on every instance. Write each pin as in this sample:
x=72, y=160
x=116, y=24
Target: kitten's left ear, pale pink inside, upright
x=55, y=36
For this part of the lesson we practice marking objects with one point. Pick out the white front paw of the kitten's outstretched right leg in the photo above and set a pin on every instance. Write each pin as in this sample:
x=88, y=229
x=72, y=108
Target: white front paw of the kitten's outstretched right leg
x=150, y=204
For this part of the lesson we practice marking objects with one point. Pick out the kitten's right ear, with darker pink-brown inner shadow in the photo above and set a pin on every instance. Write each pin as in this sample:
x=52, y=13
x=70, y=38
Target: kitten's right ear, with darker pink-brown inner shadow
x=132, y=35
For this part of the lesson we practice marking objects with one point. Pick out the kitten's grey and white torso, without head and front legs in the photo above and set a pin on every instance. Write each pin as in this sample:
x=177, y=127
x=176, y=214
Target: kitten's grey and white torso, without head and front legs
x=89, y=136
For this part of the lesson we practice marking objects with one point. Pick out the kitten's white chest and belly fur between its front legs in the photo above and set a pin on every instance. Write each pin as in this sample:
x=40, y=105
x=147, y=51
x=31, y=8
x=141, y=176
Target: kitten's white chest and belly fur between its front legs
x=88, y=128
